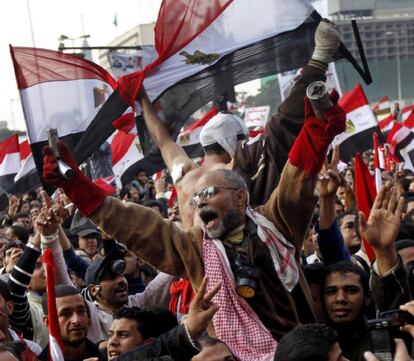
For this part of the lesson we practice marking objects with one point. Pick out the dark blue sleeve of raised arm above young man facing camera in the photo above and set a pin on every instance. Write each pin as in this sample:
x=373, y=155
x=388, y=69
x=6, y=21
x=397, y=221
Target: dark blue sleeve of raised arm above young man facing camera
x=331, y=244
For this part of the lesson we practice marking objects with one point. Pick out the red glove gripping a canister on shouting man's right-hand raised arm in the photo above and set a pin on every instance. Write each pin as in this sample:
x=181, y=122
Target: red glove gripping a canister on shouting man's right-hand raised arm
x=311, y=145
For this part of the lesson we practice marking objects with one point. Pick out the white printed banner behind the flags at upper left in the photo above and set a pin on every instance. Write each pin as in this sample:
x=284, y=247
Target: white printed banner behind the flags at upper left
x=126, y=63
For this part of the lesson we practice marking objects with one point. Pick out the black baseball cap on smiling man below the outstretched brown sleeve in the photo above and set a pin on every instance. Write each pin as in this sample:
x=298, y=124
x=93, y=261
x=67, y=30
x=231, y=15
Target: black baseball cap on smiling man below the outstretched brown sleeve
x=97, y=267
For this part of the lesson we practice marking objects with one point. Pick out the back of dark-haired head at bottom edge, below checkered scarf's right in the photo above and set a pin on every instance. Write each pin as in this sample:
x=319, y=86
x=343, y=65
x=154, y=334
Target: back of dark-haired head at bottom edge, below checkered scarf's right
x=310, y=342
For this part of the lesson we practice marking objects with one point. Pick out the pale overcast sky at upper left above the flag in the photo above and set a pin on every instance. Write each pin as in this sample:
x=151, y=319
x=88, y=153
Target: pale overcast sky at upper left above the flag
x=50, y=19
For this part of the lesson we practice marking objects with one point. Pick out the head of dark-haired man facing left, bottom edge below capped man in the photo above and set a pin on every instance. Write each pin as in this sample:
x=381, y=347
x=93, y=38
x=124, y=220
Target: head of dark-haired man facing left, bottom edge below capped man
x=133, y=327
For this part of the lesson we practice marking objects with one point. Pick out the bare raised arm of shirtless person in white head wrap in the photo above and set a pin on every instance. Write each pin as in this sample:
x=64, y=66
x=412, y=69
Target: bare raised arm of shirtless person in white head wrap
x=171, y=152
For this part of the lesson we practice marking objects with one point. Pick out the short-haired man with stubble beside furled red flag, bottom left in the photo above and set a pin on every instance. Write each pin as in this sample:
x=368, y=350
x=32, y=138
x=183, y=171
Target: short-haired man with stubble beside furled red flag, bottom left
x=74, y=322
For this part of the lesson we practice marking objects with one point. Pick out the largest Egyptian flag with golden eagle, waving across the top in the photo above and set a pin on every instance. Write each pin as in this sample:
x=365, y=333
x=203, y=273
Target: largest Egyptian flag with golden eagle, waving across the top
x=206, y=47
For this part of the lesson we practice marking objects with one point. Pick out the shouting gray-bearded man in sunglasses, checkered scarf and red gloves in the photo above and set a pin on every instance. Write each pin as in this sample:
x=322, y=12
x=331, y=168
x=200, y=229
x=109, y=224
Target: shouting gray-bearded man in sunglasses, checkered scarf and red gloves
x=269, y=294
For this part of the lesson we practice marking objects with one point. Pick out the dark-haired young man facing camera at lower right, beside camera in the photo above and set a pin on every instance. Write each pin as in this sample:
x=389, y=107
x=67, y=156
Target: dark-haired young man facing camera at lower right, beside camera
x=346, y=297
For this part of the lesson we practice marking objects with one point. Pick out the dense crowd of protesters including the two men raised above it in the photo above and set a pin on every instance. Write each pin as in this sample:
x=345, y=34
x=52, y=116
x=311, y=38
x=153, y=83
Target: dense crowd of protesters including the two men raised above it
x=184, y=268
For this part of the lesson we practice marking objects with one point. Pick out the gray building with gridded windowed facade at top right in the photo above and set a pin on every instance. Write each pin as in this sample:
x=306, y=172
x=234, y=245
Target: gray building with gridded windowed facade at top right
x=387, y=33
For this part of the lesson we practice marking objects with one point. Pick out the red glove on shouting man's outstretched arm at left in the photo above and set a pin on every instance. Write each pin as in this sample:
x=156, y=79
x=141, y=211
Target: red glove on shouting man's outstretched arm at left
x=85, y=195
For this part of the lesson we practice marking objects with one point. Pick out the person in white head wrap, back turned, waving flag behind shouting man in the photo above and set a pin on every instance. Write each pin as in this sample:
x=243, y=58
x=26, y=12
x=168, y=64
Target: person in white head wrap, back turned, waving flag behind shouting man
x=259, y=162
